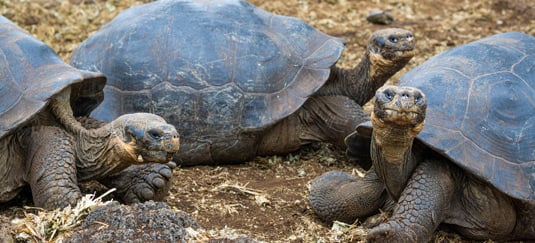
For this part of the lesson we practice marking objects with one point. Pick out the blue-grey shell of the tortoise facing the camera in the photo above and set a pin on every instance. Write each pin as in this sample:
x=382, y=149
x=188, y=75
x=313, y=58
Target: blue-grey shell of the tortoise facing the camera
x=481, y=109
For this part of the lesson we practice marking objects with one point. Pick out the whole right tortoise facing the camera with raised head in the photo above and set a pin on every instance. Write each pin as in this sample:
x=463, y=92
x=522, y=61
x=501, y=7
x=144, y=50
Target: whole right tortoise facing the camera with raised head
x=471, y=167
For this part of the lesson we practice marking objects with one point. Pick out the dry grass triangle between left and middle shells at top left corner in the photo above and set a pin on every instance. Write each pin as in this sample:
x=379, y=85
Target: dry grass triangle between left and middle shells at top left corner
x=63, y=24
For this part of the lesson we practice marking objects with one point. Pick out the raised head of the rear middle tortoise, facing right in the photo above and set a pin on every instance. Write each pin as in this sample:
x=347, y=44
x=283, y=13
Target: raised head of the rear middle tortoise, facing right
x=392, y=44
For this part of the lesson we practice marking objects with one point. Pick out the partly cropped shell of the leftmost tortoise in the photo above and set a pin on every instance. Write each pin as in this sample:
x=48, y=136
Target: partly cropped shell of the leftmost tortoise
x=31, y=73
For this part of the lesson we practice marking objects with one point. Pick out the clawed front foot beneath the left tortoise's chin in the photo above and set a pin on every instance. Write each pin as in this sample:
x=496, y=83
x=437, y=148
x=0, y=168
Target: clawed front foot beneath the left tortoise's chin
x=140, y=183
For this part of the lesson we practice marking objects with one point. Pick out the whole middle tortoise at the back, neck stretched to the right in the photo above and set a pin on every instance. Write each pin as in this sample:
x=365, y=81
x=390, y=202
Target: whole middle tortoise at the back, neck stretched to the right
x=236, y=80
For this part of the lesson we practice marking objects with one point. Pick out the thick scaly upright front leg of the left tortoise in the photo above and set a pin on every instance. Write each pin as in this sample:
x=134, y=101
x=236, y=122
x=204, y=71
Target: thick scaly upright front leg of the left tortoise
x=51, y=168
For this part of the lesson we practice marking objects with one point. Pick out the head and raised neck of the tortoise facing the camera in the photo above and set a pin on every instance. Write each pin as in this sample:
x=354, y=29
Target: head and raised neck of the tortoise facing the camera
x=398, y=117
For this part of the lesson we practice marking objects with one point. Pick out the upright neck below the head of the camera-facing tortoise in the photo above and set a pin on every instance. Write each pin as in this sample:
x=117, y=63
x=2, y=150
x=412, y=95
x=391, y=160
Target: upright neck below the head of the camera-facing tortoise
x=393, y=157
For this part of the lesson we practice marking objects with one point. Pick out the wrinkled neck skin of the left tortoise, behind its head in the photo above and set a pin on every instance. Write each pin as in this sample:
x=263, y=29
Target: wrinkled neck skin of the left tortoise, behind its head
x=100, y=151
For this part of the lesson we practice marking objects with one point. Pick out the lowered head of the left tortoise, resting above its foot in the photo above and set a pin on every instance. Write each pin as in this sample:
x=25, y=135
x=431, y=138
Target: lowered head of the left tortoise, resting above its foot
x=147, y=138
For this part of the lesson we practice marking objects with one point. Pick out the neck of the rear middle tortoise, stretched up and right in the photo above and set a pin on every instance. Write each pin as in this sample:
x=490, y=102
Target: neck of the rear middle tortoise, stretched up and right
x=361, y=82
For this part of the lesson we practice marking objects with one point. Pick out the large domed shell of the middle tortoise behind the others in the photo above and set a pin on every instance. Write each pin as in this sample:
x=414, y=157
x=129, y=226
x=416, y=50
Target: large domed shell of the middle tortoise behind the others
x=214, y=69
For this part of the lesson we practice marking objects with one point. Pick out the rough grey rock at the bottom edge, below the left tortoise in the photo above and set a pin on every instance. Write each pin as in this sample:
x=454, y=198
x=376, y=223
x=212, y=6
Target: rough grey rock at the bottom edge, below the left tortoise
x=143, y=222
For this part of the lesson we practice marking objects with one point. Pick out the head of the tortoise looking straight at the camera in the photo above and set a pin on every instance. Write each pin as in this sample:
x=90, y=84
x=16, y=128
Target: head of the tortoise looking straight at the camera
x=402, y=107
